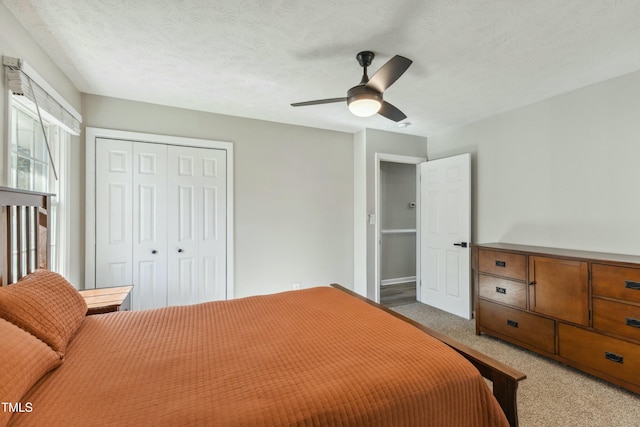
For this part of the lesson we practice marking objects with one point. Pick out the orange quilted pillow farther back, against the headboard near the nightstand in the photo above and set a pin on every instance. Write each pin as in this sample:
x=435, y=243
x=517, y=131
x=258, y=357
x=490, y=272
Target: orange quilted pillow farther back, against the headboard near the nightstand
x=44, y=304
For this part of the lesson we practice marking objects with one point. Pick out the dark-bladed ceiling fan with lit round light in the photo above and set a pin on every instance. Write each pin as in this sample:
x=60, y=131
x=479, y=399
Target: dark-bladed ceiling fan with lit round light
x=365, y=99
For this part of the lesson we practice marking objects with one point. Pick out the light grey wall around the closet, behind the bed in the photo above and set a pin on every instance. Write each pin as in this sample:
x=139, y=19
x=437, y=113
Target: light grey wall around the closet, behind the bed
x=293, y=191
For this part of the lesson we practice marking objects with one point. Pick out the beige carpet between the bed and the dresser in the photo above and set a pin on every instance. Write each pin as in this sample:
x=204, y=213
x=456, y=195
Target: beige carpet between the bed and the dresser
x=552, y=394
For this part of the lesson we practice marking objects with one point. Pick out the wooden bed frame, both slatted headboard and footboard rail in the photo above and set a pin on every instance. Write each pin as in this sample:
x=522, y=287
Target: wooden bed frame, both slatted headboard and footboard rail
x=25, y=232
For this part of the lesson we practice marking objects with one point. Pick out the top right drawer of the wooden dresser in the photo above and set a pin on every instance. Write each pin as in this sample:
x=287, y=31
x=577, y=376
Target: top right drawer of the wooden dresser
x=616, y=282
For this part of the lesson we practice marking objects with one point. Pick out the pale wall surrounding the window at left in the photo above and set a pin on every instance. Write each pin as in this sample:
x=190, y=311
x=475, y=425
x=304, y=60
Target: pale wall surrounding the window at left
x=16, y=42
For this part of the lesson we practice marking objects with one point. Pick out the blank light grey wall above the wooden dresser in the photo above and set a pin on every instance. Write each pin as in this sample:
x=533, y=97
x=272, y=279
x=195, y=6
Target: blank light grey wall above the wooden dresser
x=562, y=172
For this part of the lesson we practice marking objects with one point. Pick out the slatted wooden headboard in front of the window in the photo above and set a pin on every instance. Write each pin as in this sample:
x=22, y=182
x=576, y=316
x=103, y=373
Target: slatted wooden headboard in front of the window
x=25, y=233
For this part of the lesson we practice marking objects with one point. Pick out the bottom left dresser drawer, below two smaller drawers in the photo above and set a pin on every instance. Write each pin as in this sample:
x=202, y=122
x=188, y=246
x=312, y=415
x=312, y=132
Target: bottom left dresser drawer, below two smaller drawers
x=526, y=328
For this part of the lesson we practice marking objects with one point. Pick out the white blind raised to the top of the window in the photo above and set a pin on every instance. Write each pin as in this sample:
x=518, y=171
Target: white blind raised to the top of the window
x=22, y=80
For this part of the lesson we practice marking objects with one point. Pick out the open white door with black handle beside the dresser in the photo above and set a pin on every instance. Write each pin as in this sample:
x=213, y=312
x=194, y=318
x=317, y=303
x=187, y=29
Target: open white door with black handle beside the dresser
x=445, y=234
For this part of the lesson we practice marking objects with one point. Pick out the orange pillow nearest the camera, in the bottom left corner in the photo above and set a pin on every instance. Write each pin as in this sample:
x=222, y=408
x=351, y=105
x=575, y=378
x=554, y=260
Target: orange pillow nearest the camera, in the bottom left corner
x=24, y=360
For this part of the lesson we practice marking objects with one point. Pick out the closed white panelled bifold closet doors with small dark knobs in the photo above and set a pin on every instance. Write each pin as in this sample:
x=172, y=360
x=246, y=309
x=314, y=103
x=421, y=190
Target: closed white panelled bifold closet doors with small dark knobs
x=161, y=221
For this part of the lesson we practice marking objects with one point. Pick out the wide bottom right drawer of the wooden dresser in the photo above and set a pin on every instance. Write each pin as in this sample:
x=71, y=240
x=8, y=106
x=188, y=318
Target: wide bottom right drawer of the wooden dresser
x=618, y=358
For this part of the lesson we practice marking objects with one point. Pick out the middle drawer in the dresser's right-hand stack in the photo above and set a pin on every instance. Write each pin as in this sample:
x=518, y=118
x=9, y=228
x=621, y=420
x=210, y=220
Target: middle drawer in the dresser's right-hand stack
x=617, y=318
